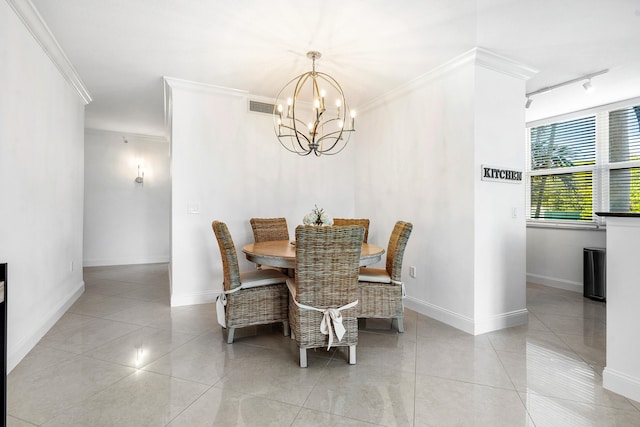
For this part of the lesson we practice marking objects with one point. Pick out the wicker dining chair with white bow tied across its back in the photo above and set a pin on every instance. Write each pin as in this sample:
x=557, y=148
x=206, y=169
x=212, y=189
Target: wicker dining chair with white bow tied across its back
x=325, y=287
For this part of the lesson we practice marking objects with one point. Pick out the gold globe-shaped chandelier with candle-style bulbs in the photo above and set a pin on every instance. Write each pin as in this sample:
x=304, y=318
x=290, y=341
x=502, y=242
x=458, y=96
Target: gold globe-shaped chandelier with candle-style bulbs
x=316, y=118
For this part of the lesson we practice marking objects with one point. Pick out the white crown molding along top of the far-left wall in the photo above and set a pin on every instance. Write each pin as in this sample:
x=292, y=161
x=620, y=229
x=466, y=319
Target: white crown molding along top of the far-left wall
x=32, y=20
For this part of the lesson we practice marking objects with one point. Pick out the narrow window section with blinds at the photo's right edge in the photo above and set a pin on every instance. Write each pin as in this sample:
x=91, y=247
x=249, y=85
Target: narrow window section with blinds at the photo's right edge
x=624, y=160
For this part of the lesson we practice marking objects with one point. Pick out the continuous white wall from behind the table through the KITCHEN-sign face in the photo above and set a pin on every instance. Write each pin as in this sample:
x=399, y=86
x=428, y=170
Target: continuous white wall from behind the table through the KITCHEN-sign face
x=416, y=157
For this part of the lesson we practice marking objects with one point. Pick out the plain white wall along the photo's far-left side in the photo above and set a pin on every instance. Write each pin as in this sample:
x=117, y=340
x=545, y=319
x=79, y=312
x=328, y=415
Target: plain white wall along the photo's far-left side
x=41, y=186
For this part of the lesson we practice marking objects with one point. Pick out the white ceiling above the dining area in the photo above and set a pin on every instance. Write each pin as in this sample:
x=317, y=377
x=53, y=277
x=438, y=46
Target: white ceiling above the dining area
x=122, y=48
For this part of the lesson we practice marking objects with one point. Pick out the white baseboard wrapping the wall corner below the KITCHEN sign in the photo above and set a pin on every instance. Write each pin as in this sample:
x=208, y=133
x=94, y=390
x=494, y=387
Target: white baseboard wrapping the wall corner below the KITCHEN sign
x=466, y=324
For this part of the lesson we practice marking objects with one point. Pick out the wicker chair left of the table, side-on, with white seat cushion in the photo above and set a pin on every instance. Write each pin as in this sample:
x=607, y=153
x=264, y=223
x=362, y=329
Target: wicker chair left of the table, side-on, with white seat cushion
x=253, y=297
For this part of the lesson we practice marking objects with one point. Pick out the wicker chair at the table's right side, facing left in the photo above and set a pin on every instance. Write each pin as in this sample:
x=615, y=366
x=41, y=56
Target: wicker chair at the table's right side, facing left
x=380, y=291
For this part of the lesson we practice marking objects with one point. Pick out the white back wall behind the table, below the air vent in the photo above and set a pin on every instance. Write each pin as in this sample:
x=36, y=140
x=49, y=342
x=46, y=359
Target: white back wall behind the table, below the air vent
x=227, y=162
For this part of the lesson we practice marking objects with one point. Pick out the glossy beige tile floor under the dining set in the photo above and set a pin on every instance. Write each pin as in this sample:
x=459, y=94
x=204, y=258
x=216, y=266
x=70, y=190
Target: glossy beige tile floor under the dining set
x=122, y=356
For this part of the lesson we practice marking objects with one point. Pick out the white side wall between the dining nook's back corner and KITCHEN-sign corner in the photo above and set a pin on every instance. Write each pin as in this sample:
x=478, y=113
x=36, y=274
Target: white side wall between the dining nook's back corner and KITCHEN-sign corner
x=418, y=168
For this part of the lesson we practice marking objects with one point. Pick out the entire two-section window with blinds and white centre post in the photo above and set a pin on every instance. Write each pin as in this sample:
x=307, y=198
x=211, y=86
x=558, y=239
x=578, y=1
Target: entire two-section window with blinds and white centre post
x=584, y=165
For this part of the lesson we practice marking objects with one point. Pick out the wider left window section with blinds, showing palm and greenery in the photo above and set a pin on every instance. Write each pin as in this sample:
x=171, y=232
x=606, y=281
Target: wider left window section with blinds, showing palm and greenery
x=563, y=157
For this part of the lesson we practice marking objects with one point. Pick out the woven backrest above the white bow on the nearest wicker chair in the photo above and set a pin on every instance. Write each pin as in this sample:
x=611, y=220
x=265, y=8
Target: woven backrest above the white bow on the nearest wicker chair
x=327, y=260
